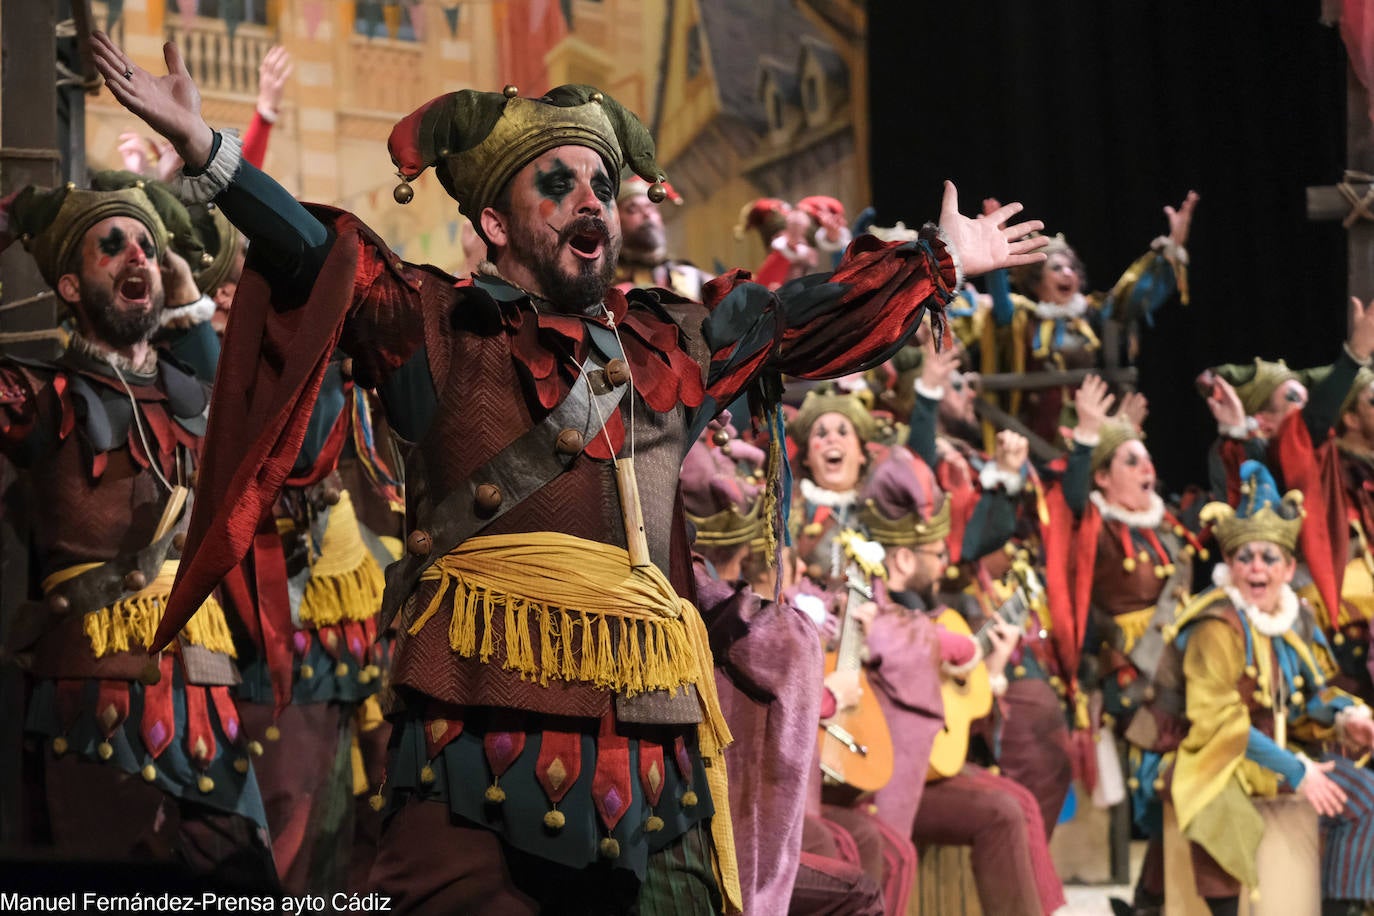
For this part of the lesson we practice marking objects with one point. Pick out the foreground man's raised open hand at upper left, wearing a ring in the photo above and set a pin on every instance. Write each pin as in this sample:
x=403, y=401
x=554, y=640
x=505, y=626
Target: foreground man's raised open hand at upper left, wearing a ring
x=170, y=105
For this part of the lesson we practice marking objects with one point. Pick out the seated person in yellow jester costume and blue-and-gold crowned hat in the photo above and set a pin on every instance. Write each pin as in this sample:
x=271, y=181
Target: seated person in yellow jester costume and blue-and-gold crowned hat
x=1257, y=679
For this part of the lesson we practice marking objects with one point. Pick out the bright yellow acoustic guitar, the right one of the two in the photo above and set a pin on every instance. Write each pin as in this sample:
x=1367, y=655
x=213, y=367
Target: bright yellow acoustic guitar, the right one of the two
x=969, y=698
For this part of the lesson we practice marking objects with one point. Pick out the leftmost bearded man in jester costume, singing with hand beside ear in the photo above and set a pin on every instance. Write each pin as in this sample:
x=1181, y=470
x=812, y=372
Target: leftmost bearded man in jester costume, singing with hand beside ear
x=141, y=753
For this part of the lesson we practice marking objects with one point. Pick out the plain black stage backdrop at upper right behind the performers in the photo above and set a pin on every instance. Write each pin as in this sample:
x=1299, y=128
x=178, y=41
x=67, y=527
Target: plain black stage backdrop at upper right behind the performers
x=1099, y=115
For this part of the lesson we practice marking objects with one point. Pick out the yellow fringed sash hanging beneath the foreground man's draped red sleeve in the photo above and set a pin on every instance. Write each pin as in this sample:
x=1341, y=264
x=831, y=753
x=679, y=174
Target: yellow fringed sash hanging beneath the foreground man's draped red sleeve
x=346, y=580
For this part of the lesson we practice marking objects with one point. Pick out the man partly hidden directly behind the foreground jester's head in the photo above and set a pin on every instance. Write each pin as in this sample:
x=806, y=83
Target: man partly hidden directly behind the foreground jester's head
x=644, y=256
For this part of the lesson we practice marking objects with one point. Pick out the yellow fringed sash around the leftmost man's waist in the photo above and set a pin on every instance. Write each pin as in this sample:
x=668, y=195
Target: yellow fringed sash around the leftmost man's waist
x=130, y=624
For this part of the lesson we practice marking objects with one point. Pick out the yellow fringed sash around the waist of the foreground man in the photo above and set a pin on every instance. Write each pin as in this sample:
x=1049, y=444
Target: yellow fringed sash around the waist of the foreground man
x=637, y=634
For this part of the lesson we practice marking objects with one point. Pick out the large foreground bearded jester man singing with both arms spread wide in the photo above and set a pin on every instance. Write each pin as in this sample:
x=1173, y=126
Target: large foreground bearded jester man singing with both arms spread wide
x=552, y=687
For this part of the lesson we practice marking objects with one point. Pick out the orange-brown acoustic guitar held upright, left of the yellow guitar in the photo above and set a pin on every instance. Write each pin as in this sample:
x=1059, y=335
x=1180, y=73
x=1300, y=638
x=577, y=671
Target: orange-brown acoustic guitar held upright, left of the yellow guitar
x=855, y=745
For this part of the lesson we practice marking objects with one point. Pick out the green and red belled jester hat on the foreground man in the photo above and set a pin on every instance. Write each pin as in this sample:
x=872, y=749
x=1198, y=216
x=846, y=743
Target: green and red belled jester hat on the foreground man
x=479, y=141
